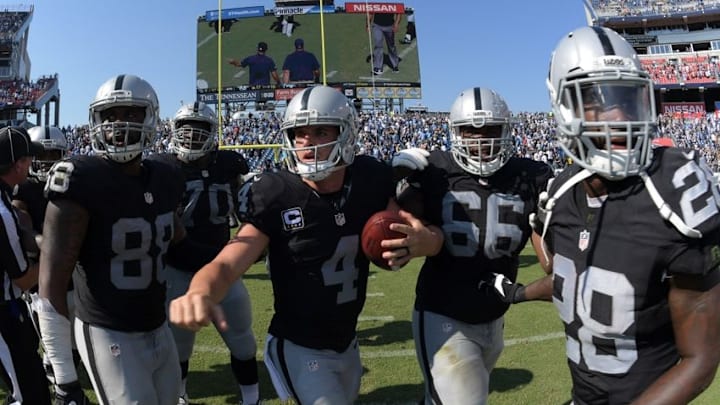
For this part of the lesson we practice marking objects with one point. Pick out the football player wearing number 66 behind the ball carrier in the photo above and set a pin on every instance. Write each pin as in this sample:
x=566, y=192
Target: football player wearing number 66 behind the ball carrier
x=481, y=197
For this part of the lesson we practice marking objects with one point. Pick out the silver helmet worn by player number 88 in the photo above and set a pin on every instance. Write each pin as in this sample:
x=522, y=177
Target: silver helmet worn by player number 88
x=123, y=140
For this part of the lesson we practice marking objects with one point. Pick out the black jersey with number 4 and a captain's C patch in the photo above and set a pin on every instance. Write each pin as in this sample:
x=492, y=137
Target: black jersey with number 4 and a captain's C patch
x=317, y=267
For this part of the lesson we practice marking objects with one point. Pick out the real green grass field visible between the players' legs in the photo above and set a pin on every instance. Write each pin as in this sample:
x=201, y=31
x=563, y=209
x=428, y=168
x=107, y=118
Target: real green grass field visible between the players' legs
x=531, y=370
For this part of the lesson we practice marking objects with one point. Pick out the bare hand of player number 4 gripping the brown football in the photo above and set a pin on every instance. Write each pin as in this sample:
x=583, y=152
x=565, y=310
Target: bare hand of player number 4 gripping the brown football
x=420, y=240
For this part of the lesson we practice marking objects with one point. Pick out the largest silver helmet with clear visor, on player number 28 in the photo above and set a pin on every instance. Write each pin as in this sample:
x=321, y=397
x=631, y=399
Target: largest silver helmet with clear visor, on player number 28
x=603, y=102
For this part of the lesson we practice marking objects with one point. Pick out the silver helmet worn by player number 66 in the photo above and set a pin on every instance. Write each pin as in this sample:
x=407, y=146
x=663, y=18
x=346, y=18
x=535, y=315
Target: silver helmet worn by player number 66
x=485, y=154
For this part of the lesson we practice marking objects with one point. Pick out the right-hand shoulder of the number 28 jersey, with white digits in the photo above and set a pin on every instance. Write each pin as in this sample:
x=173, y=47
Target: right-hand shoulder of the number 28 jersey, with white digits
x=685, y=183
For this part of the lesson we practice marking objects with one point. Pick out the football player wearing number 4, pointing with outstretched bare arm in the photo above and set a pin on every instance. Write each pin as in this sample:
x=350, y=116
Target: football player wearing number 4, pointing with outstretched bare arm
x=310, y=219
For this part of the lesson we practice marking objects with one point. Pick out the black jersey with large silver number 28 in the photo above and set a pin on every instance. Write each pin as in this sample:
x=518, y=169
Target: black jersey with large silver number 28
x=612, y=259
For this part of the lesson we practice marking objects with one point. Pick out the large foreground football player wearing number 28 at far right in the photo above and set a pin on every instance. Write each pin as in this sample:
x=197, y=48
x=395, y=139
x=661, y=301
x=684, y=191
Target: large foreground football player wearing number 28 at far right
x=632, y=235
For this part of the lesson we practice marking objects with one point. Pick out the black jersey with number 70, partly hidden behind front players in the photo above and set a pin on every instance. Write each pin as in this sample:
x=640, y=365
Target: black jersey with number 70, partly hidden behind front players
x=209, y=196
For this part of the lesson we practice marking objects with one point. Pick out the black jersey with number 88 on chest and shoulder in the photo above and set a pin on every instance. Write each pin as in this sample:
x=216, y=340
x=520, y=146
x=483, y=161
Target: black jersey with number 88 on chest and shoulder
x=120, y=280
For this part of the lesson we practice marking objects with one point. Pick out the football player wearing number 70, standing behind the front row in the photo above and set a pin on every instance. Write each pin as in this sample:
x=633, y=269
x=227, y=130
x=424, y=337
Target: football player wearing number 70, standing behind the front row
x=212, y=178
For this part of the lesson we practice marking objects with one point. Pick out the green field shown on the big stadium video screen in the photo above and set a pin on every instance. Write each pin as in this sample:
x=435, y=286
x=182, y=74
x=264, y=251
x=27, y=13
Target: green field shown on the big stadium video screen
x=347, y=47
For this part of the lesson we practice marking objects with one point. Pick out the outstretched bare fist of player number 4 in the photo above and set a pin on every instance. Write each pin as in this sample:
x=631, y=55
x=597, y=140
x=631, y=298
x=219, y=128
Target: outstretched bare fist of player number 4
x=194, y=311
